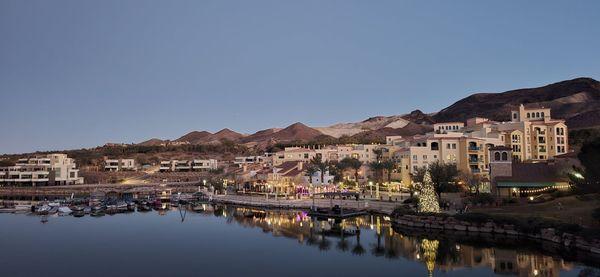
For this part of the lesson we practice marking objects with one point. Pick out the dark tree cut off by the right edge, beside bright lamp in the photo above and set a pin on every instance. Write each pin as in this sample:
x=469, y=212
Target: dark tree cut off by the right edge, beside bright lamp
x=587, y=180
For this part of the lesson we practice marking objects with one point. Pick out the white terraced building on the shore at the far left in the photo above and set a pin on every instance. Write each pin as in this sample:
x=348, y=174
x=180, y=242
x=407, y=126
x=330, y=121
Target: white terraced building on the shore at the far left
x=49, y=170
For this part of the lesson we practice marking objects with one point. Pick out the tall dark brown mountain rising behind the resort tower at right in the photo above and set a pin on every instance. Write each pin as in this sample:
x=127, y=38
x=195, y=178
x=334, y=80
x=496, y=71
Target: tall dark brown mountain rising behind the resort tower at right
x=576, y=100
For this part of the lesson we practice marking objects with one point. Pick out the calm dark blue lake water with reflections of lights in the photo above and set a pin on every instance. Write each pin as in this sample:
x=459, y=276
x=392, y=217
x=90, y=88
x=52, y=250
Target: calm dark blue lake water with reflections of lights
x=227, y=241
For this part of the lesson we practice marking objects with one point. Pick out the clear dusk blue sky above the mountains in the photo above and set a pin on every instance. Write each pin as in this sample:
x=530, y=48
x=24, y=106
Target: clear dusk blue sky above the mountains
x=81, y=73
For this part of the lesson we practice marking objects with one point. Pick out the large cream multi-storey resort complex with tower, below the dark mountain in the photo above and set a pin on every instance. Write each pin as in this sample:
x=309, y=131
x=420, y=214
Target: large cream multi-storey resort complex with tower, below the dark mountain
x=532, y=135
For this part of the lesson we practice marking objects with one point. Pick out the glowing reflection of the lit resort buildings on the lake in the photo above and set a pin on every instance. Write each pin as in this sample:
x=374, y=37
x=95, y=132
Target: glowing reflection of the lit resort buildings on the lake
x=349, y=235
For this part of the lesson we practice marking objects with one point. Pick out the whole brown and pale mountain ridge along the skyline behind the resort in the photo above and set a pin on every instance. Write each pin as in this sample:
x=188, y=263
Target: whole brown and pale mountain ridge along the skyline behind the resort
x=577, y=101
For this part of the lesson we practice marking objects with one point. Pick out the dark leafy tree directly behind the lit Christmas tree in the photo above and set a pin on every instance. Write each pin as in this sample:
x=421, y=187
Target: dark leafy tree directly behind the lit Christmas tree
x=443, y=176
